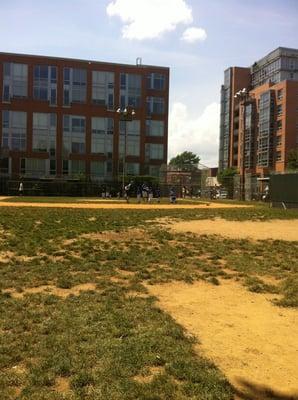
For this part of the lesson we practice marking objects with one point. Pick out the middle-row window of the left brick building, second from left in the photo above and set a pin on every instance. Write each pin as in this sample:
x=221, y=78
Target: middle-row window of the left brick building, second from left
x=44, y=133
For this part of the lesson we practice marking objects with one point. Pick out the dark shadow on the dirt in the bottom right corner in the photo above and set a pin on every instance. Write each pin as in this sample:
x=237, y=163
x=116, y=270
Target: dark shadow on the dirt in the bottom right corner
x=249, y=391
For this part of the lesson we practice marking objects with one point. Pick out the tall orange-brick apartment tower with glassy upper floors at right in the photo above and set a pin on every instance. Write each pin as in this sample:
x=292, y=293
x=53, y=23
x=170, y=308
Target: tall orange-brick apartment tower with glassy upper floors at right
x=259, y=114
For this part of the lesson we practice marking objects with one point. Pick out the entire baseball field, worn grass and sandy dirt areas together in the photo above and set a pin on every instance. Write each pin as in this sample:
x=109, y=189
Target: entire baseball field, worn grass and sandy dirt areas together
x=108, y=300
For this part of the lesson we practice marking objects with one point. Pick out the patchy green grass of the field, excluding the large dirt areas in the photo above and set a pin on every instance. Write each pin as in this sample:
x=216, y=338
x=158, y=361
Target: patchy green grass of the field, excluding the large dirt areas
x=77, y=320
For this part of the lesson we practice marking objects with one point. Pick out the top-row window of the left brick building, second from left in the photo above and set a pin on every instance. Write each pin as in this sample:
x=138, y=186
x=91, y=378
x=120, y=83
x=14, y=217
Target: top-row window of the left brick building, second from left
x=45, y=83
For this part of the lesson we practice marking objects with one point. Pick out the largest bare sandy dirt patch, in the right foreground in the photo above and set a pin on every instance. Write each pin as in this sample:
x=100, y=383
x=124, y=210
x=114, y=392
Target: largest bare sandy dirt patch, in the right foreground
x=242, y=332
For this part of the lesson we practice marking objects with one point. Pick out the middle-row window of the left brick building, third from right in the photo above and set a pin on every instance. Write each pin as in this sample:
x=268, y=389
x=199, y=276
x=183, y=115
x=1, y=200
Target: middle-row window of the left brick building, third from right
x=102, y=136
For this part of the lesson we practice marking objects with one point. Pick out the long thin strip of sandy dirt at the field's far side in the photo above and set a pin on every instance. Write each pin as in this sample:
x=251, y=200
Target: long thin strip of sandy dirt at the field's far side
x=121, y=205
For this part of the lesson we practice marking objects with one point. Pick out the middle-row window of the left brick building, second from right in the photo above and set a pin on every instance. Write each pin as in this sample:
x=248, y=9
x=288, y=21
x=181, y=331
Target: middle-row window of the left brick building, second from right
x=132, y=138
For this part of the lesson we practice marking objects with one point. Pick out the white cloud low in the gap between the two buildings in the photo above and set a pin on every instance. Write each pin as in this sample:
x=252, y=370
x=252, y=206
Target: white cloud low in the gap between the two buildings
x=199, y=134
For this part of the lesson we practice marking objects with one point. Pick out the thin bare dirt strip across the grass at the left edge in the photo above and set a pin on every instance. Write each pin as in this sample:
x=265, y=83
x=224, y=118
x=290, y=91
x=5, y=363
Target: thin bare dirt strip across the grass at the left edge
x=75, y=290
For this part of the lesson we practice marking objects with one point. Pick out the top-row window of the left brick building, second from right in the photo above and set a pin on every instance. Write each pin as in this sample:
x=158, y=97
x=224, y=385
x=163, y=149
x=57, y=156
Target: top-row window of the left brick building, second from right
x=130, y=90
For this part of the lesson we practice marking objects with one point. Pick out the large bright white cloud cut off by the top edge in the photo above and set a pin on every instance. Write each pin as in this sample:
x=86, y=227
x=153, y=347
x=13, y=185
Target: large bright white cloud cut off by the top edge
x=148, y=19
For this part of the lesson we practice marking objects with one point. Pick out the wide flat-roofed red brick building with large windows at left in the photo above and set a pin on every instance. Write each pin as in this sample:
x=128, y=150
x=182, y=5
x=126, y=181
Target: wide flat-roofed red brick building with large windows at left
x=58, y=118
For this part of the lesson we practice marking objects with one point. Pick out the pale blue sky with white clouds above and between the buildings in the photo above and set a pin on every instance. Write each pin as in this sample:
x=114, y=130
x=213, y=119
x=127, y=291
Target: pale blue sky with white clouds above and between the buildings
x=197, y=39
